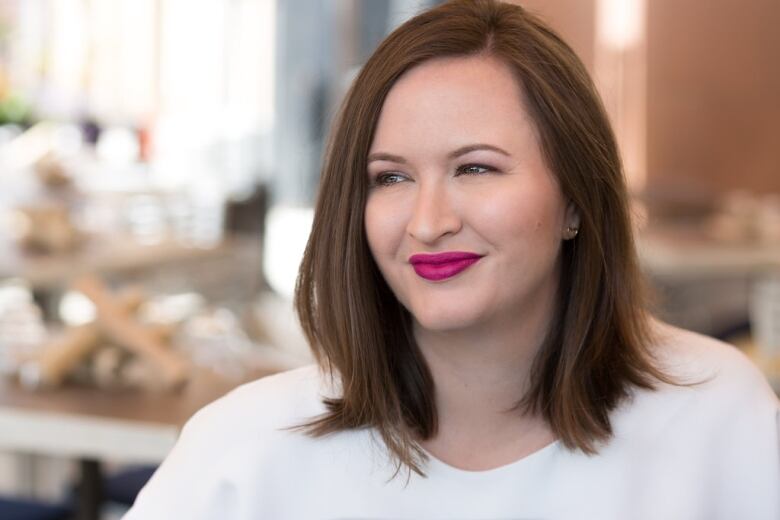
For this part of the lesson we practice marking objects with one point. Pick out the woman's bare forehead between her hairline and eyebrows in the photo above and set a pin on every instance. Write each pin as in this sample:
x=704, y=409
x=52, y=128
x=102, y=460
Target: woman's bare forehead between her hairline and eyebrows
x=461, y=98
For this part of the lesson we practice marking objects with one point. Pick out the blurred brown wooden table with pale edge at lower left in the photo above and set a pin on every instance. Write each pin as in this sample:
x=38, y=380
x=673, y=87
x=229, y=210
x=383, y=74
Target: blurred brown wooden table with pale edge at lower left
x=95, y=425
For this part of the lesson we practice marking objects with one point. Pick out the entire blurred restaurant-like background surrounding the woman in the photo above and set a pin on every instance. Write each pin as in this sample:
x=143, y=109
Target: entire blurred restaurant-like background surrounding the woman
x=158, y=164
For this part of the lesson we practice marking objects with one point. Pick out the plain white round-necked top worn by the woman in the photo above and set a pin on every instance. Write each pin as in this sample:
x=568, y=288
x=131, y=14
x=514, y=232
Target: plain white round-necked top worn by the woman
x=706, y=452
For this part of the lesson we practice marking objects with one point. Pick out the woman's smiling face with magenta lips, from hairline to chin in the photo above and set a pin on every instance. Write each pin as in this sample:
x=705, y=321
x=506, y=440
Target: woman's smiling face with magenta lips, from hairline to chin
x=463, y=217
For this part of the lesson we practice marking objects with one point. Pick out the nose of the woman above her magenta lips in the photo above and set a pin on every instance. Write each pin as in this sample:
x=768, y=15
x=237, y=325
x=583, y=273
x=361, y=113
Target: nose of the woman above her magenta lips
x=434, y=214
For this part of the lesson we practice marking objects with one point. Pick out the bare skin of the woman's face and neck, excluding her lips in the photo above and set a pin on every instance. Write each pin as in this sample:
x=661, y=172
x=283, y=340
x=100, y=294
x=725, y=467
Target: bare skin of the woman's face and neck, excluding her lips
x=456, y=165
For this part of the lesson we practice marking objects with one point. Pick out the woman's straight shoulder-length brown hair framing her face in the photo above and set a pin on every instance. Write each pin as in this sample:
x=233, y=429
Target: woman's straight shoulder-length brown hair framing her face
x=600, y=346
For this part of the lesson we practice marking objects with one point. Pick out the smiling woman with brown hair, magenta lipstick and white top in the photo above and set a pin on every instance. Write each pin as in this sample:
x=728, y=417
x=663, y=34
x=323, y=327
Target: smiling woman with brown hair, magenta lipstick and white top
x=472, y=296
